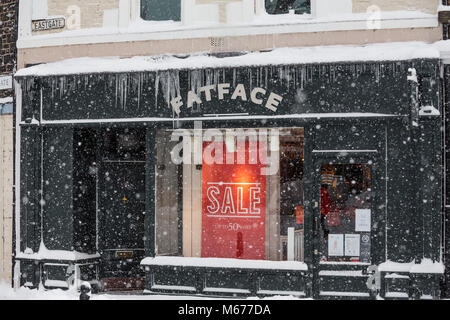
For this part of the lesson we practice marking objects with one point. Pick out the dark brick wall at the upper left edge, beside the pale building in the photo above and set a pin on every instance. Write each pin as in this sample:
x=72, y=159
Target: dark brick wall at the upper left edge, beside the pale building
x=8, y=35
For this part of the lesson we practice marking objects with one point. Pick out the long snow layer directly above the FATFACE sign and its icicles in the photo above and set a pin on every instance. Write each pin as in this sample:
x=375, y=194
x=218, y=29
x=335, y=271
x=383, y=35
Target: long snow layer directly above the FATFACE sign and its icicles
x=397, y=51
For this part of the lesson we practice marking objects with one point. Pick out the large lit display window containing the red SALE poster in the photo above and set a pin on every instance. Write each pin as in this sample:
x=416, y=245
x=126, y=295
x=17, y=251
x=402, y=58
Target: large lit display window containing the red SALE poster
x=230, y=193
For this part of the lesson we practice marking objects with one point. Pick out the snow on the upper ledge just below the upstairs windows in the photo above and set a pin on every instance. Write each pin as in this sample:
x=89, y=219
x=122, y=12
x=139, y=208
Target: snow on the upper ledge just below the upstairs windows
x=262, y=25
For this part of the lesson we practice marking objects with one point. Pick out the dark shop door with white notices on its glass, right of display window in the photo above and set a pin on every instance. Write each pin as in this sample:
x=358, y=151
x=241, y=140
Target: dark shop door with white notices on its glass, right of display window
x=347, y=207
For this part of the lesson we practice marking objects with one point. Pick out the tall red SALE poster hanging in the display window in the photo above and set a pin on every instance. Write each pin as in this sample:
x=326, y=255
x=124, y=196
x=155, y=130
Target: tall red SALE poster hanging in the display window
x=234, y=201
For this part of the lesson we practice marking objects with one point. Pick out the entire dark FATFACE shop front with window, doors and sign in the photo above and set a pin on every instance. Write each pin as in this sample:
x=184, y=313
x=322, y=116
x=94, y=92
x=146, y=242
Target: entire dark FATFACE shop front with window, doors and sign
x=316, y=180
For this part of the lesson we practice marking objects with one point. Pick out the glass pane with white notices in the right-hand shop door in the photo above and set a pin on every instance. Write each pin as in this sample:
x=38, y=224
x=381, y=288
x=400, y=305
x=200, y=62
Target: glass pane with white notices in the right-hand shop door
x=345, y=199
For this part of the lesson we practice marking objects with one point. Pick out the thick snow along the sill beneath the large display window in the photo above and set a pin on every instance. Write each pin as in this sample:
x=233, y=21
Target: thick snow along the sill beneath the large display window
x=224, y=263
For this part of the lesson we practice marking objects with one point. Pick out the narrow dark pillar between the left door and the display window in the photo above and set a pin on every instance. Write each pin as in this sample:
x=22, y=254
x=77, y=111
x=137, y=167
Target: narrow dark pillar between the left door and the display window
x=150, y=161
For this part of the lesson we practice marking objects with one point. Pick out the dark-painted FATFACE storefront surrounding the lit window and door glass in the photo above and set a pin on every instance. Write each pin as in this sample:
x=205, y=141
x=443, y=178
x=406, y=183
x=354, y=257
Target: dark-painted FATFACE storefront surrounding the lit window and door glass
x=367, y=116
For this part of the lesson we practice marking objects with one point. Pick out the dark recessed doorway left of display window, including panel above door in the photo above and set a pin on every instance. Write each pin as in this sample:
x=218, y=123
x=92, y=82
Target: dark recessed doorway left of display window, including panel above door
x=121, y=199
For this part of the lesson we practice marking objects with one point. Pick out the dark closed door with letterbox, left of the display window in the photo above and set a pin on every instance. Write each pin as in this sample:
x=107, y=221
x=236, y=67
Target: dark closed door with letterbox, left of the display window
x=121, y=224
